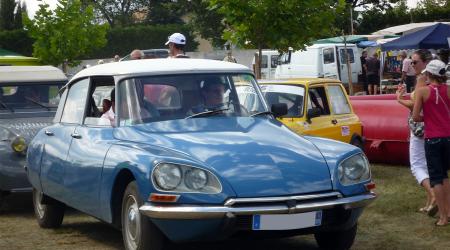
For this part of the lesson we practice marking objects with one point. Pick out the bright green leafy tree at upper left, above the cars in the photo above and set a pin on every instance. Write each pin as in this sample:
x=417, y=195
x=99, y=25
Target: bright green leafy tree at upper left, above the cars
x=67, y=33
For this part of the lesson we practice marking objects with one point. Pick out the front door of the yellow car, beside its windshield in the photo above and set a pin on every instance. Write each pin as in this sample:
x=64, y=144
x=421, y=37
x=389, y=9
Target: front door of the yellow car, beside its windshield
x=323, y=125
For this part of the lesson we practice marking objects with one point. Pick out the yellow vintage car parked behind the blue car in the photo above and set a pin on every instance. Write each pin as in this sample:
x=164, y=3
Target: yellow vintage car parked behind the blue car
x=316, y=106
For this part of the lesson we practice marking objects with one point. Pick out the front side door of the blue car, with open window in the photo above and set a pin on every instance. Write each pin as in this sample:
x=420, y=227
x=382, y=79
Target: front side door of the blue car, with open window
x=90, y=143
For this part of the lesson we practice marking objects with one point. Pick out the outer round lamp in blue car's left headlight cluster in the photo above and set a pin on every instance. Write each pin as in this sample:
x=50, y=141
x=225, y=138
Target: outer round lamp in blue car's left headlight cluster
x=167, y=176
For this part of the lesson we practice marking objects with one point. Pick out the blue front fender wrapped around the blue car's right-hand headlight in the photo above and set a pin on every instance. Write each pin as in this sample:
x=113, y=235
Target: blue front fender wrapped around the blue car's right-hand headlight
x=334, y=152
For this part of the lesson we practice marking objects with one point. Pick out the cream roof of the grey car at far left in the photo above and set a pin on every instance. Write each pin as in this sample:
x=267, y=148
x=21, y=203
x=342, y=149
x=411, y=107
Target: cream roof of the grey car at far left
x=31, y=74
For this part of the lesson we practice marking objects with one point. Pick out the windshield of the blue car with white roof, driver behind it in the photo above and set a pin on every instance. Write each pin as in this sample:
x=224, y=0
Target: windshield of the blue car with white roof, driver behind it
x=159, y=98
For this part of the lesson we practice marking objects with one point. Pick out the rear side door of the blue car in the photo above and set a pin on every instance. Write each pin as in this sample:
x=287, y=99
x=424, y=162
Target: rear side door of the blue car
x=59, y=137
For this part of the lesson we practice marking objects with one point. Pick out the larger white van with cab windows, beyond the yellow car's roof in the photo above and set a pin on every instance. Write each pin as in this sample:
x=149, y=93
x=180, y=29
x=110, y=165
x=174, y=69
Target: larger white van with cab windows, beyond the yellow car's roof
x=320, y=60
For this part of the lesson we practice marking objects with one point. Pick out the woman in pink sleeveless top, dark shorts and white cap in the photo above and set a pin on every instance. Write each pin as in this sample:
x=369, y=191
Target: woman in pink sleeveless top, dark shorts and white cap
x=434, y=101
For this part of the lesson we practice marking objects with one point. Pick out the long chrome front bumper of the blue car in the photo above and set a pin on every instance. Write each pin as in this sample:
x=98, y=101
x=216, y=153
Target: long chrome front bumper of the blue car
x=159, y=211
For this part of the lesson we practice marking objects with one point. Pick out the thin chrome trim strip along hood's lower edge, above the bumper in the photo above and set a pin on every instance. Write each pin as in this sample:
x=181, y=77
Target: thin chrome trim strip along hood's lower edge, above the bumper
x=235, y=201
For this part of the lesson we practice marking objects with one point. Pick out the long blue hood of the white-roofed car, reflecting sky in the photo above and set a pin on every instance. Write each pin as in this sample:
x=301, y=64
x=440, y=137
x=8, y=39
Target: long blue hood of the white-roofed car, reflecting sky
x=256, y=156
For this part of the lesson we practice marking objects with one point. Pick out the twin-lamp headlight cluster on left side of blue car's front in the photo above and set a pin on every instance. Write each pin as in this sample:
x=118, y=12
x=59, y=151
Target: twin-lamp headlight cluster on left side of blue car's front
x=182, y=178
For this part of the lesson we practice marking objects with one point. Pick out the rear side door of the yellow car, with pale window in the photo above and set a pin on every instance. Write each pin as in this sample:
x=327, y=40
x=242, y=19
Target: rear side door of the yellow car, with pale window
x=345, y=120
